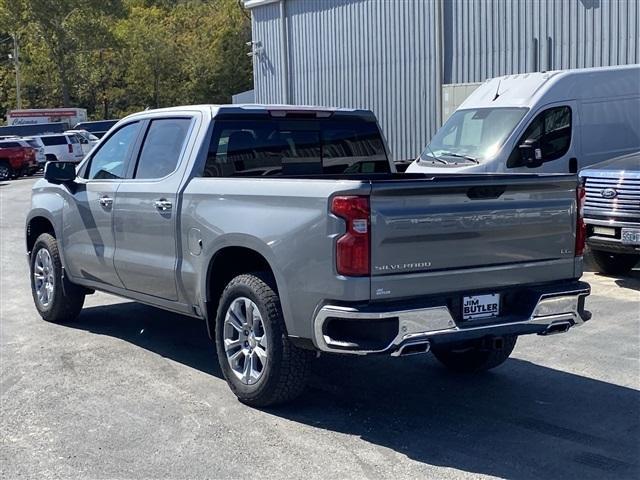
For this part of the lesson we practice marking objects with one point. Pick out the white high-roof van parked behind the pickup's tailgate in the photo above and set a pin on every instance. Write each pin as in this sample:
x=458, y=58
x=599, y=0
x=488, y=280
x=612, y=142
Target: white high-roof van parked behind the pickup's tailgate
x=555, y=122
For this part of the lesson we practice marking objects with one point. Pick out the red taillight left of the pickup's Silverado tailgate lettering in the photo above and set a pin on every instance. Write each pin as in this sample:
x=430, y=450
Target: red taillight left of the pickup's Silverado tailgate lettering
x=352, y=248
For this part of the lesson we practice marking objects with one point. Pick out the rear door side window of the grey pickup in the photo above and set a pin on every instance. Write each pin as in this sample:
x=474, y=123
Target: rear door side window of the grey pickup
x=162, y=146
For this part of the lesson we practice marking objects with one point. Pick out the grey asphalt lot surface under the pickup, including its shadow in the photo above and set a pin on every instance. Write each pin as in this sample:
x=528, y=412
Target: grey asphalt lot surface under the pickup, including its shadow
x=129, y=391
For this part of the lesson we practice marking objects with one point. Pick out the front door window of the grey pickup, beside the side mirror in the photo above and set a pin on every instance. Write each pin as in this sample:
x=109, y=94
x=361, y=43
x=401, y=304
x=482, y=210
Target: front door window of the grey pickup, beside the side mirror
x=110, y=160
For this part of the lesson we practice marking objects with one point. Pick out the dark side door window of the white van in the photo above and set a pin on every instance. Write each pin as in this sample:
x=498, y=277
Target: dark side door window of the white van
x=551, y=131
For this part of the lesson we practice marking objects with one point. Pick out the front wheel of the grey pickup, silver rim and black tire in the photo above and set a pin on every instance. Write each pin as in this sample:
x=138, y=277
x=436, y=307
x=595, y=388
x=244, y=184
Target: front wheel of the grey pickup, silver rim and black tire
x=54, y=303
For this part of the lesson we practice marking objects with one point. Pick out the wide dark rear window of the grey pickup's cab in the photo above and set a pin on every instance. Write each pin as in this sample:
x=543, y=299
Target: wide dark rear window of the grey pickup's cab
x=282, y=147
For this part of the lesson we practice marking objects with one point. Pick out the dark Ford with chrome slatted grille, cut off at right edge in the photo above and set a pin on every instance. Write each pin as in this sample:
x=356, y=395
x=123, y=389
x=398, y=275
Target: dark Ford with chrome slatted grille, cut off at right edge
x=612, y=213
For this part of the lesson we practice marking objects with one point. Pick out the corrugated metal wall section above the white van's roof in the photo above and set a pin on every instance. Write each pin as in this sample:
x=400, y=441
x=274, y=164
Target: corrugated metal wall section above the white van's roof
x=489, y=38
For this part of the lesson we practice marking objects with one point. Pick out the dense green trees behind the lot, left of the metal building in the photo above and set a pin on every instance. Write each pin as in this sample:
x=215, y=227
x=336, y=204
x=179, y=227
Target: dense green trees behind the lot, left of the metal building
x=114, y=57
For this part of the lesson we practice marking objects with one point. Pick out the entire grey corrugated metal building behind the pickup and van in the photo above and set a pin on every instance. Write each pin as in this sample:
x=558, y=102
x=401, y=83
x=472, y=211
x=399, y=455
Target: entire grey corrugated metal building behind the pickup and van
x=397, y=57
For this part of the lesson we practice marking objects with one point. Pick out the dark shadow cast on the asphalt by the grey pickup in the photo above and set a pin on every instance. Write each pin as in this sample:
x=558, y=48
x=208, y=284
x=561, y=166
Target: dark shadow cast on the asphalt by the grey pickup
x=520, y=421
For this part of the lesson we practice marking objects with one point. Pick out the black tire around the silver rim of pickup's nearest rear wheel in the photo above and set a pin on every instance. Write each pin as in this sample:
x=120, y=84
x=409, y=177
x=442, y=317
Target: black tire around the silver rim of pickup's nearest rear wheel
x=285, y=374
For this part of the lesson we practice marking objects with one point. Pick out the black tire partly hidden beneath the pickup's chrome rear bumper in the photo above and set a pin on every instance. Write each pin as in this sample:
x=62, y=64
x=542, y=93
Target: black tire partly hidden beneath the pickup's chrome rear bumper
x=475, y=356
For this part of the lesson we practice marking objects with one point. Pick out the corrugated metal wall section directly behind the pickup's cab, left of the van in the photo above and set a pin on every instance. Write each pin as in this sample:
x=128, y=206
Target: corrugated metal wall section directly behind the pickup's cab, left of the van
x=369, y=54
